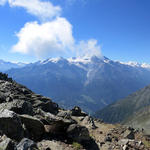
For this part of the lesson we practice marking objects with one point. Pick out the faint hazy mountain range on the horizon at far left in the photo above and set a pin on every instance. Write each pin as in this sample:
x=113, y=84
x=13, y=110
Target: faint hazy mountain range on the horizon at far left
x=4, y=66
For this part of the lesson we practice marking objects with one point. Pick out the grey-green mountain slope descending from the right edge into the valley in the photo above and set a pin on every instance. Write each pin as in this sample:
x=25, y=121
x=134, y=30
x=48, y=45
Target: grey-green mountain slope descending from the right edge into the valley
x=134, y=110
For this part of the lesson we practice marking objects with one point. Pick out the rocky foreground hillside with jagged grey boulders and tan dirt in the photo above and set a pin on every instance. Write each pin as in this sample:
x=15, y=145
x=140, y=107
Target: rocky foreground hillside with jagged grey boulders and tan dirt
x=29, y=121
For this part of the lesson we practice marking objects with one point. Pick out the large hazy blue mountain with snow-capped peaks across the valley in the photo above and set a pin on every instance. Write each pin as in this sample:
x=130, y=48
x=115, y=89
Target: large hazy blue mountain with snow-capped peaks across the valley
x=91, y=83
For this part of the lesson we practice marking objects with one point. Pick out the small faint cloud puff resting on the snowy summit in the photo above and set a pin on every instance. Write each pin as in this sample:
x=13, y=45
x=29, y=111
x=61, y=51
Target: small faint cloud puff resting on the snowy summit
x=89, y=48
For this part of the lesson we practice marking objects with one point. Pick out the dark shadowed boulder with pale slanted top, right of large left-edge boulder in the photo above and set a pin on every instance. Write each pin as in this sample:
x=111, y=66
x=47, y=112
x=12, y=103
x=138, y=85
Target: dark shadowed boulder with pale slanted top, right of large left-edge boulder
x=33, y=125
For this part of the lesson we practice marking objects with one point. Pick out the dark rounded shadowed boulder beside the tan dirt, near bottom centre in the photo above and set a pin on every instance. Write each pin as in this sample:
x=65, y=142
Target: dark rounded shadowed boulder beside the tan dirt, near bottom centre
x=78, y=133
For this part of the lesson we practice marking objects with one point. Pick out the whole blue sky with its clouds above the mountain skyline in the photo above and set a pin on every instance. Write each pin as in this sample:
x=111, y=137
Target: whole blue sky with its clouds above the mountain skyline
x=38, y=29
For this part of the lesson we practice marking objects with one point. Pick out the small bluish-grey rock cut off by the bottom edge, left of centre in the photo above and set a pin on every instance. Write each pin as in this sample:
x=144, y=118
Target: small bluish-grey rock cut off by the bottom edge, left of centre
x=26, y=144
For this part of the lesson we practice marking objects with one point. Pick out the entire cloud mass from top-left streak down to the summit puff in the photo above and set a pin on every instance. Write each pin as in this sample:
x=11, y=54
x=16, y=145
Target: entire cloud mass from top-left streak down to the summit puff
x=52, y=36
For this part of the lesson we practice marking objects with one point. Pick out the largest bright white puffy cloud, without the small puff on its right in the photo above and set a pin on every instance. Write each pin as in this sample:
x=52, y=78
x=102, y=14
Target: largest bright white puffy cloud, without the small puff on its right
x=54, y=38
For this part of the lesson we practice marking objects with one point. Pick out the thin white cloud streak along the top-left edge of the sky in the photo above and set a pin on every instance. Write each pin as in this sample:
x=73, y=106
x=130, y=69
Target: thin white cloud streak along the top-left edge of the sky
x=42, y=9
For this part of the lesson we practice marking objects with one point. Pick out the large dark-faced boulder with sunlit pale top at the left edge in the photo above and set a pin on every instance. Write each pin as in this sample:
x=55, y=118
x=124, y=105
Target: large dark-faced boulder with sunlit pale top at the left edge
x=10, y=124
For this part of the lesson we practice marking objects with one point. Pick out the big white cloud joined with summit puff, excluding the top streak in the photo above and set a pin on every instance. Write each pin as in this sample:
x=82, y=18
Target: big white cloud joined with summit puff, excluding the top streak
x=53, y=39
